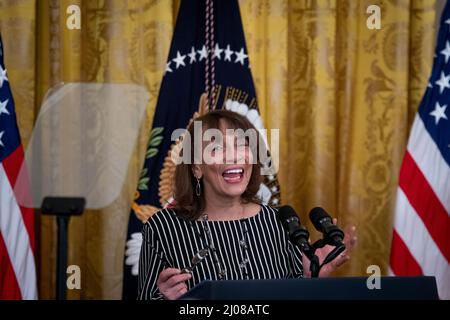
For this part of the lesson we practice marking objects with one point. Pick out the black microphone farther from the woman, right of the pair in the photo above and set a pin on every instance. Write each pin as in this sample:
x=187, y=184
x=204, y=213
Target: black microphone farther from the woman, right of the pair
x=324, y=224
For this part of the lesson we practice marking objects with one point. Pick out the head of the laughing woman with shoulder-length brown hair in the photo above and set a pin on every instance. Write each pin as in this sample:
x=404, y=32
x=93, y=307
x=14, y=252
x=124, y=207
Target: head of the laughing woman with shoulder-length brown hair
x=215, y=177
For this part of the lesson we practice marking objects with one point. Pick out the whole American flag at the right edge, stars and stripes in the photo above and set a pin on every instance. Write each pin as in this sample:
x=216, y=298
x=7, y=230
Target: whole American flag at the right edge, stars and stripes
x=421, y=237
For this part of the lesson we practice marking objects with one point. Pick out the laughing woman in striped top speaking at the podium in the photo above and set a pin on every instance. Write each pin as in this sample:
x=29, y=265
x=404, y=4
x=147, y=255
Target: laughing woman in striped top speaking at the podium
x=218, y=229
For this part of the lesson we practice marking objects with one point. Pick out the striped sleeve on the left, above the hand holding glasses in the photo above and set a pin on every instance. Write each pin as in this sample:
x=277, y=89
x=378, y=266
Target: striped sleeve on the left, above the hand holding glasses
x=150, y=266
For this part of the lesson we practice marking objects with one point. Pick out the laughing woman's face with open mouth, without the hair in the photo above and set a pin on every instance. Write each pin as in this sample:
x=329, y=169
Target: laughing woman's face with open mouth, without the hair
x=231, y=168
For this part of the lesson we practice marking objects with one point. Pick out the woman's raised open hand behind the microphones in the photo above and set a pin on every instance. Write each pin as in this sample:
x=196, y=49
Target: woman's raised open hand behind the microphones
x=349, y=240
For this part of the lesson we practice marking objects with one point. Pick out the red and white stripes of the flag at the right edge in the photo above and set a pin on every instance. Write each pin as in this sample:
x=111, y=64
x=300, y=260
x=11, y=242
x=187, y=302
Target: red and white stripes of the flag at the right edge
x=420, y=244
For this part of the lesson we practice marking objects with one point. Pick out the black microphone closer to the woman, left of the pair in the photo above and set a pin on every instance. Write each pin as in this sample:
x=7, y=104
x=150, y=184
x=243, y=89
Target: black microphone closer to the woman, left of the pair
x=298, y=234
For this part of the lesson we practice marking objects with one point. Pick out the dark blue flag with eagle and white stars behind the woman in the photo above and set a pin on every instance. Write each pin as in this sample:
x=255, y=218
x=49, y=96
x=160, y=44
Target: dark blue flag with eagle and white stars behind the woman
x=181, y=88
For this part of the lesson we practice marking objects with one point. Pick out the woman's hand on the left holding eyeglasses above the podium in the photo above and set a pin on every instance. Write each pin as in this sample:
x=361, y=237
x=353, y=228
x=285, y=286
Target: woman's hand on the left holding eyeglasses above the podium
x=171, y=283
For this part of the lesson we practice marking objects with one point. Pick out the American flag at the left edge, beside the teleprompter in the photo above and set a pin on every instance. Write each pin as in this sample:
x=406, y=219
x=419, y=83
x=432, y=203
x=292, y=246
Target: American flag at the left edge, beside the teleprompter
x=17, y=263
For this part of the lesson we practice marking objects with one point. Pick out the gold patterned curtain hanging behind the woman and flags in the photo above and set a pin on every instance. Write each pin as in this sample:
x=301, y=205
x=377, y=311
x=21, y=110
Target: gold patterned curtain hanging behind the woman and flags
x=342, y=95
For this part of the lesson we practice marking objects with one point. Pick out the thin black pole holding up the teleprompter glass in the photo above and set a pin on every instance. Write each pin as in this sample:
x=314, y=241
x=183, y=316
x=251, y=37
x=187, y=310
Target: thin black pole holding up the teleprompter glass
x=61, y=262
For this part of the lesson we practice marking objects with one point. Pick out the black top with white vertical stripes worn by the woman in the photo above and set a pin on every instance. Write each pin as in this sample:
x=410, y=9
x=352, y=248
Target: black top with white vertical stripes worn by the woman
x=253, y=248
